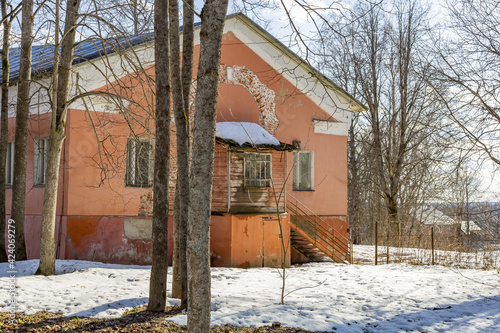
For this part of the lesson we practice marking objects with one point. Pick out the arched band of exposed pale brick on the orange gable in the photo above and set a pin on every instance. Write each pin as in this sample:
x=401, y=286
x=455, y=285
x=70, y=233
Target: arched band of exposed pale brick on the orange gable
x=263, y=96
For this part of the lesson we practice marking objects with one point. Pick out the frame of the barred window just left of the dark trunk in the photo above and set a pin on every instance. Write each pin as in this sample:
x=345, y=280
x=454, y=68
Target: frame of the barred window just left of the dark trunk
x=131, y=179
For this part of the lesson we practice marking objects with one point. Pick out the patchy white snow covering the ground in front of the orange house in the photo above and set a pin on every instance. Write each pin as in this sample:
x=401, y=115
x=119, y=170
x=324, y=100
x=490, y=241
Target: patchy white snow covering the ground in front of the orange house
x=322, y=296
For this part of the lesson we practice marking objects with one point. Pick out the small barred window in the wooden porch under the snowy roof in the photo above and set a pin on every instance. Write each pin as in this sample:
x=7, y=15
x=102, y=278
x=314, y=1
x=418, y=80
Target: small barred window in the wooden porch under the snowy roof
x=257, y=170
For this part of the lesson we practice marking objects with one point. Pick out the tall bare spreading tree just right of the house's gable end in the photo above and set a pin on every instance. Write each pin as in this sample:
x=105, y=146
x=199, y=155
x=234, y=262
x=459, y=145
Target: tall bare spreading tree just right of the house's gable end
x=380, y=49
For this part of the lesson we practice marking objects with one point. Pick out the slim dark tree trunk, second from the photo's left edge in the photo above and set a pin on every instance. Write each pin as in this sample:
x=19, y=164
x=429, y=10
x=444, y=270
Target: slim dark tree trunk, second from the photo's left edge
x=22, y=116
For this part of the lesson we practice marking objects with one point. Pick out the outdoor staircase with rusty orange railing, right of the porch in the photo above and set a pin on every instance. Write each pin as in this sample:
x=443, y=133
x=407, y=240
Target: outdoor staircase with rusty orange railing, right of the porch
x=313, y=237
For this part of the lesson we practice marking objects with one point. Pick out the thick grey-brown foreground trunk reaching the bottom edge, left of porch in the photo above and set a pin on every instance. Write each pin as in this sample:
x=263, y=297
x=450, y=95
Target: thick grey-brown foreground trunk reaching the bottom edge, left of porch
x=200, y=190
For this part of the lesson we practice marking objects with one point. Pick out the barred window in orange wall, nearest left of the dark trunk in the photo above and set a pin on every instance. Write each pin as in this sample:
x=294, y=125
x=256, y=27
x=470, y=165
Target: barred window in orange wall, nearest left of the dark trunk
x=139, y=162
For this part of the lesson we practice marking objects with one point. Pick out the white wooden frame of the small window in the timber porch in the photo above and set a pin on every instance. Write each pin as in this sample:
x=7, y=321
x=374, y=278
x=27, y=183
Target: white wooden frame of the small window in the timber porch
x=258, y=181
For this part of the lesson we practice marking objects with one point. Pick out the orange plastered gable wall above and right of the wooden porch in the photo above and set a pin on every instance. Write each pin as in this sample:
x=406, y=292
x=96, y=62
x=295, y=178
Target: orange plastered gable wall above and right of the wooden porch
x=295, y=112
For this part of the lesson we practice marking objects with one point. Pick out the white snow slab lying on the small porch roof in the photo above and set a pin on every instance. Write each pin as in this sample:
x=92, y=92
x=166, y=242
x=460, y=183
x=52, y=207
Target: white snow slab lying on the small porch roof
x=243, y=132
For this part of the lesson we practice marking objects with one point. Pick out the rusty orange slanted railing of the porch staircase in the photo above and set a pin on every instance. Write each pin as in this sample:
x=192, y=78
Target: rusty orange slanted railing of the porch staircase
x=319, y=233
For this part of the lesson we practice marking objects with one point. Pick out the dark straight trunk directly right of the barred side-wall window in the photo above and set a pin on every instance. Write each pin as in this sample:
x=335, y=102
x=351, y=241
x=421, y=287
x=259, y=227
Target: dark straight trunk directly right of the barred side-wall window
x=158, y=281
